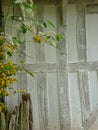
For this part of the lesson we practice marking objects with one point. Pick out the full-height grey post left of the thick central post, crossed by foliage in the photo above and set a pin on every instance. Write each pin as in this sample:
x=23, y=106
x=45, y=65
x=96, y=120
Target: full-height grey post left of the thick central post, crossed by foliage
x=41, y=80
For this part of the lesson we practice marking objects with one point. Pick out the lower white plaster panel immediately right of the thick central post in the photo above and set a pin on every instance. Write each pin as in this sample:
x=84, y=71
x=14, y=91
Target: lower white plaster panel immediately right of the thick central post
x=74, y=101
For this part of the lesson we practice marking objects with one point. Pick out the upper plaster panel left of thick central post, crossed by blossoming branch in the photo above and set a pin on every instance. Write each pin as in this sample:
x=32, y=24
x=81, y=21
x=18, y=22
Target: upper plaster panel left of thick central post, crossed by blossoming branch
x=50, y=15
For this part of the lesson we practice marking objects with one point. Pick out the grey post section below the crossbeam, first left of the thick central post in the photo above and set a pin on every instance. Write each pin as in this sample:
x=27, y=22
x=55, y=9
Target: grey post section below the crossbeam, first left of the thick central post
x=43, y=104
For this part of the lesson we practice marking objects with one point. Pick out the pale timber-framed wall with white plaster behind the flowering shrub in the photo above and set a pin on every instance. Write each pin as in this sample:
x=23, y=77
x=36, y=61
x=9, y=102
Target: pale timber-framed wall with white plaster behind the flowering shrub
x=64, y=90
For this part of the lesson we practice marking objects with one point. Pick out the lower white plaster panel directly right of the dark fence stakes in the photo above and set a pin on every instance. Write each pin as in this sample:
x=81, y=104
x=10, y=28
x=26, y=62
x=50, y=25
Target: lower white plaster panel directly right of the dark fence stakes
x=32, y=89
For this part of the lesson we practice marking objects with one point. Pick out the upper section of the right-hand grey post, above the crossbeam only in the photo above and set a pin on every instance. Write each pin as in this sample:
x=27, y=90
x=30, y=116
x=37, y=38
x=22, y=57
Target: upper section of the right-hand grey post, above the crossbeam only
x=81, y=32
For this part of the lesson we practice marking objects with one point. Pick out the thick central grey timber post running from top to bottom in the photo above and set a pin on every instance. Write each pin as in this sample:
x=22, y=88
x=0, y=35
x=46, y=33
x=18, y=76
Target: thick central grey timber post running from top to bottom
x=64, y=108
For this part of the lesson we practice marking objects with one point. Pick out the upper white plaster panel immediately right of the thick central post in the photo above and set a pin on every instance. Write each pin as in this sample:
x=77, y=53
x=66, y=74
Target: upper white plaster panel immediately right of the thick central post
x=71, y=34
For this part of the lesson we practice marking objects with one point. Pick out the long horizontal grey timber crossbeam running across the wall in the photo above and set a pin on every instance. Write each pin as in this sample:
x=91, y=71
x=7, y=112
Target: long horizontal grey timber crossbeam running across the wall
x=53, y=67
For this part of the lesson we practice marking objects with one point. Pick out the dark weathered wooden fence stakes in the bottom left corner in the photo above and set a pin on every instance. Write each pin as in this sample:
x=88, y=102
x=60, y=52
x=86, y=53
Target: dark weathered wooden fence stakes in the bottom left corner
x=20, y=118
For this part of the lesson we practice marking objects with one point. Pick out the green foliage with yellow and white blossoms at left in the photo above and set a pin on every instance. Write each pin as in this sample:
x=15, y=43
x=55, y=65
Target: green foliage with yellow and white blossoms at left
x=9, y=44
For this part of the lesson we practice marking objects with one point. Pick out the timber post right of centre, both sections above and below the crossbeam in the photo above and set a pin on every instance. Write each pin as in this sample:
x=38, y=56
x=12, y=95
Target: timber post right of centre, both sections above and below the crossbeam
x=82, y=56
